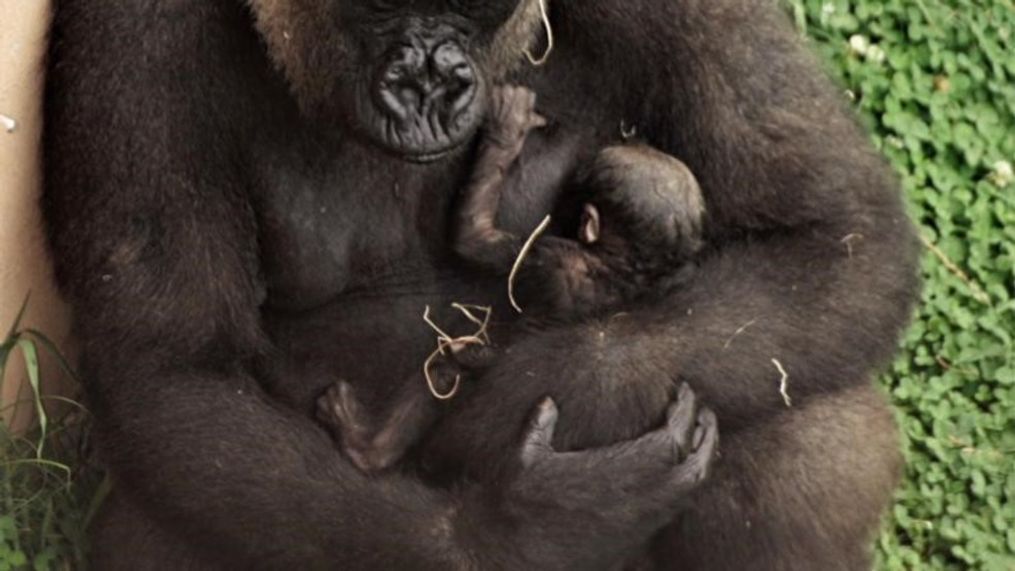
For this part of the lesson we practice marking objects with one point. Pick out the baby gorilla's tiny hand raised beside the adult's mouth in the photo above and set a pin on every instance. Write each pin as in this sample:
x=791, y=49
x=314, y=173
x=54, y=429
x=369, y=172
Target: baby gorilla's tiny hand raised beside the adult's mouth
x=512, y=116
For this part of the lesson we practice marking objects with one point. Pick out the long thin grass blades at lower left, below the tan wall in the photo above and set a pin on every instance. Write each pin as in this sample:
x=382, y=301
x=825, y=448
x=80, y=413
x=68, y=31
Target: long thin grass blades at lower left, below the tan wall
x=48, y=489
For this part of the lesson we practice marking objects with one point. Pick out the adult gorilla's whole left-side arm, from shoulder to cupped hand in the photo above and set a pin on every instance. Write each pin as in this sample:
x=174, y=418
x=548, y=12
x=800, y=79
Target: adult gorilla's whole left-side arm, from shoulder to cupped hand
x=156, y=246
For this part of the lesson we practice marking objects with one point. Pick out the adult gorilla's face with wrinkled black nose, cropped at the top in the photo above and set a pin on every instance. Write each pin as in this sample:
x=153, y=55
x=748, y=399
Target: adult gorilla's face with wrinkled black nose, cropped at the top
x=409, y=77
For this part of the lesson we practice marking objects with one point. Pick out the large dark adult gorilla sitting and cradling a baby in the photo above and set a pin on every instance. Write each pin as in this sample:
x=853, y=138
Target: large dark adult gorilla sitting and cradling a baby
x=246, y=199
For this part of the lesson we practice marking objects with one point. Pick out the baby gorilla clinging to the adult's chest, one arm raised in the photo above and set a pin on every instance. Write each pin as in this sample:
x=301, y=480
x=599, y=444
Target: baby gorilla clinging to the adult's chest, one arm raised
x=640, y=228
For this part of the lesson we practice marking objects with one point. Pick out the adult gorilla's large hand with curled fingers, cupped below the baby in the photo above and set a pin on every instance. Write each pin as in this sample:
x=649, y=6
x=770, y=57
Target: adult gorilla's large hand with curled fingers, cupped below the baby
x=623, y=494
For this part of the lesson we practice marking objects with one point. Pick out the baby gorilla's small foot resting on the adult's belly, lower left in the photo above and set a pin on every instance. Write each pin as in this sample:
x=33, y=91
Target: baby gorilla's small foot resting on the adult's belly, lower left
x=353, y=429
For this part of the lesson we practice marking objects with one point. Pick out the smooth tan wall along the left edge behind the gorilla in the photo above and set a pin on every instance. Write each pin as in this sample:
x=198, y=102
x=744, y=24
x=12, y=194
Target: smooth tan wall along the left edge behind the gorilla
x=24, y=263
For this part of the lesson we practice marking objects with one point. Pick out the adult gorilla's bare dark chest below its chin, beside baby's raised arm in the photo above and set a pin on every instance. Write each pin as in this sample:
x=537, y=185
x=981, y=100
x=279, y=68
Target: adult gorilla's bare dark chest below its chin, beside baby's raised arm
x=328, y=228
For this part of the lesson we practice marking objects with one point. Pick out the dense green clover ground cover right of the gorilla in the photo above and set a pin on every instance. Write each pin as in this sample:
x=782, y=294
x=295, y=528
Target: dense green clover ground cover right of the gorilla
x=934, y=82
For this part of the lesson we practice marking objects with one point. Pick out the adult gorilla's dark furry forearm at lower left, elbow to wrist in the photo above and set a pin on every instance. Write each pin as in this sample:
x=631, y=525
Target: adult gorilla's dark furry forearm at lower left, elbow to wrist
x=268, y=490
